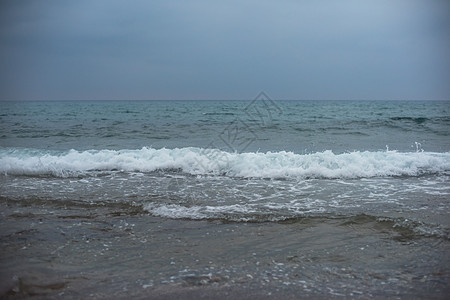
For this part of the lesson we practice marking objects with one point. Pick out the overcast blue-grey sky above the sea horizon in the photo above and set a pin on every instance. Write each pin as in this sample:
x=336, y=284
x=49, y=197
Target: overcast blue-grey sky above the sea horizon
x=199, y=49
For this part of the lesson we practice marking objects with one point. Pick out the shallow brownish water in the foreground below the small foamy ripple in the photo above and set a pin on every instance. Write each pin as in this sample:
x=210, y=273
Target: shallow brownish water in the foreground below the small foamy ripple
x=78, y=251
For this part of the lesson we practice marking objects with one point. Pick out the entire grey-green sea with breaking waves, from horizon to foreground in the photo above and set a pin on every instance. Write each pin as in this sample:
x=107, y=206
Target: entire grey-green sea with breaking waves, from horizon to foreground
x=249, y=199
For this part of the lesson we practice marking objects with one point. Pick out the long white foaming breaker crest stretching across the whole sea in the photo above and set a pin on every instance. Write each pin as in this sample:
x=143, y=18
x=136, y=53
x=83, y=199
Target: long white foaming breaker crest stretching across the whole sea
x=210, y=161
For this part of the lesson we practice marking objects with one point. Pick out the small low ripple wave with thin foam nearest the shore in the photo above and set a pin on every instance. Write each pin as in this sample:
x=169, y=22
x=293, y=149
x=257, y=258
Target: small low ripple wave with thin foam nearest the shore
x=401, y=229
